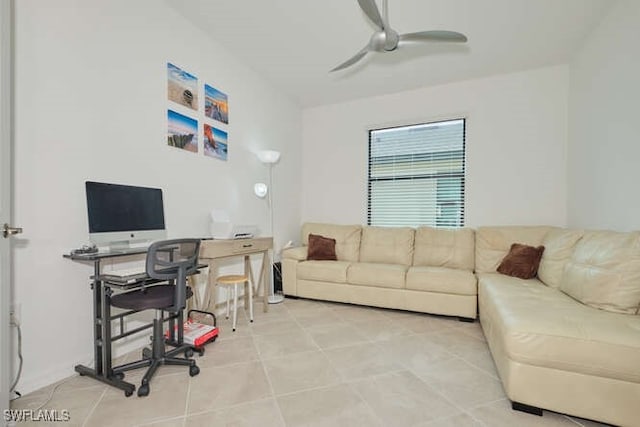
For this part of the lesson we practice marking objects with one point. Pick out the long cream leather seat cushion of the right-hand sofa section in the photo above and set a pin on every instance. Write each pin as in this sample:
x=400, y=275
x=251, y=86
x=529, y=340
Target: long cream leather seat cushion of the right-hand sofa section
x=542, y=326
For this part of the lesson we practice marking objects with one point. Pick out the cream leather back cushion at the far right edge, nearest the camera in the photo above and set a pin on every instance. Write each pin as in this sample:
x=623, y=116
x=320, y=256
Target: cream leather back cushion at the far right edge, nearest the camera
x=604, y=271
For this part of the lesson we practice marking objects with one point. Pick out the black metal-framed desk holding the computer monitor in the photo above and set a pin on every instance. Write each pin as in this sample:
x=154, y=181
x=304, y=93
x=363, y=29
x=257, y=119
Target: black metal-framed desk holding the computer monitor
x=102, y=334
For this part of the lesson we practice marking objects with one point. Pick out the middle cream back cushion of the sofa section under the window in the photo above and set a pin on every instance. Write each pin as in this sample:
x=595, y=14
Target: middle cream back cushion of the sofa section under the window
x=387, y=245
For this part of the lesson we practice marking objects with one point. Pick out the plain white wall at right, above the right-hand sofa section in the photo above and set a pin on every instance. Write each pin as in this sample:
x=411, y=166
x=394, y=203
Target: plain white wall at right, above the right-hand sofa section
x=604, y=147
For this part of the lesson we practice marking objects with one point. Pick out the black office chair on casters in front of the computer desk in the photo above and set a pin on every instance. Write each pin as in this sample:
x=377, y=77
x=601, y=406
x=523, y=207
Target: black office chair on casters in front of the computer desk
x=171, y=261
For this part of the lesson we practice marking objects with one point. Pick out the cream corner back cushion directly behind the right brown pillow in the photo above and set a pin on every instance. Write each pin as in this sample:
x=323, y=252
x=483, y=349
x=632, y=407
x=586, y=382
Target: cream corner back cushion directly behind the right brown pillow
x=493, y=243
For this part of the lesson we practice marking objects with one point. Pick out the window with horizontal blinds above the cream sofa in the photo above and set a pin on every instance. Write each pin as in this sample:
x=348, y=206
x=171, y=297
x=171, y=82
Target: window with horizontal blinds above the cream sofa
x=417, y=175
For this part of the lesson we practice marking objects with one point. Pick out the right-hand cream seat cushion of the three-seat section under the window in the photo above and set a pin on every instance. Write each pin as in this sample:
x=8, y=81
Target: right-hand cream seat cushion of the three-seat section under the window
x=442, y=280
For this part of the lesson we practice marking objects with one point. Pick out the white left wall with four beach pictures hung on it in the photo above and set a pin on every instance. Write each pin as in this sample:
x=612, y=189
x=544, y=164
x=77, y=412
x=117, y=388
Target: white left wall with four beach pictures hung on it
x=91, y=105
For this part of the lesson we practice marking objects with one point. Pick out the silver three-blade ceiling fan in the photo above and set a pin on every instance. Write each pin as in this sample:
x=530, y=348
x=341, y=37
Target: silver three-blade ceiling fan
x=385, y=39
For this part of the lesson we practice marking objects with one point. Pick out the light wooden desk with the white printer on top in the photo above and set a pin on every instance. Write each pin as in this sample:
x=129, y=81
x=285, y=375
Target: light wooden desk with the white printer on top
x=216, y=249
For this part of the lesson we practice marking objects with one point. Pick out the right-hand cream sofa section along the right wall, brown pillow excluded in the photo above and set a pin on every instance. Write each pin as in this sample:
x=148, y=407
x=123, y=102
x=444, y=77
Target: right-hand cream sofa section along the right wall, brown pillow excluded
x=569, y=340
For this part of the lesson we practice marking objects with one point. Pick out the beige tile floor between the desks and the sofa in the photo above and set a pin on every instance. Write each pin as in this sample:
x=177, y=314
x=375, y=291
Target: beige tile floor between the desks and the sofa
x=308, y=363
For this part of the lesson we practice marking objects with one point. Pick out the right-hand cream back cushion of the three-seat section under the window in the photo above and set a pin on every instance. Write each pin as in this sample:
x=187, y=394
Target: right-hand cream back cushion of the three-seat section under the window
x=441, y=247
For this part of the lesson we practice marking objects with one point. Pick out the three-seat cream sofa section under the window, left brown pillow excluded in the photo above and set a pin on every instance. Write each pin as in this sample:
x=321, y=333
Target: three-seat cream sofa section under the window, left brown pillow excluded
x=425, y=269
